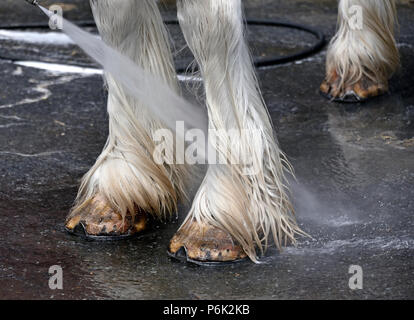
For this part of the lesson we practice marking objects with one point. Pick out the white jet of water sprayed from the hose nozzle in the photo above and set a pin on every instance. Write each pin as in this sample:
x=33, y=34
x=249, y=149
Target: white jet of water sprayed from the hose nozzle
x=159, y=99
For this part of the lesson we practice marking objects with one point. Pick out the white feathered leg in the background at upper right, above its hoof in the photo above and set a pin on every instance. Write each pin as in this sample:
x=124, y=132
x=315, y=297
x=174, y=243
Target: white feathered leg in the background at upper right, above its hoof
x=364, y=45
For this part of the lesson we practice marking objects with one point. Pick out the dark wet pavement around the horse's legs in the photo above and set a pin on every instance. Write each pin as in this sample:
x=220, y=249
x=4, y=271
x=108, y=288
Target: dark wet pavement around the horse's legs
x=354, y=164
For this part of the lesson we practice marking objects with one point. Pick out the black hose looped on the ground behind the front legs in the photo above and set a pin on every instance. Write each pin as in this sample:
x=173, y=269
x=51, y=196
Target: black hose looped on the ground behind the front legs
x=259, y=62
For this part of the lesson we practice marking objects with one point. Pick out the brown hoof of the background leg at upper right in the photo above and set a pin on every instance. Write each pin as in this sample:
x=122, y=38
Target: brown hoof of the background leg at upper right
x=361, y=91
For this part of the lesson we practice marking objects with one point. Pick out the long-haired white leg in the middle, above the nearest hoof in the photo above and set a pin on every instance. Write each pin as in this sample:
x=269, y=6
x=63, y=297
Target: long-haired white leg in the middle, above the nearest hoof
x=250, y=206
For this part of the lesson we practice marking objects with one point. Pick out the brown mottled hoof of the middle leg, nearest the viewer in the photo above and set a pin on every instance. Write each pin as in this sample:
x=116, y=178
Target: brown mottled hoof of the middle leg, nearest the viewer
x=204, y=245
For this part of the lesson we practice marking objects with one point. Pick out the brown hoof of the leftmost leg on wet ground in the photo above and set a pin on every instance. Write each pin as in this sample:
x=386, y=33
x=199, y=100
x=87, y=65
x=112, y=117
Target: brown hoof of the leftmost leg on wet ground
x=98, y=221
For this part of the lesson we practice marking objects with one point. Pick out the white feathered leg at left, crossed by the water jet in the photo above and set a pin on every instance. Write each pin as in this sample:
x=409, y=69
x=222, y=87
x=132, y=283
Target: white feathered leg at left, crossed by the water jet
x=125, y=174
